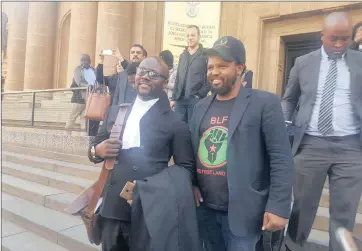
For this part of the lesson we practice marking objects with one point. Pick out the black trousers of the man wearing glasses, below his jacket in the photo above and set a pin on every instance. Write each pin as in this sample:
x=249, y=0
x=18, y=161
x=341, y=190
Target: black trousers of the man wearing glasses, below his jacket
x=115, y=235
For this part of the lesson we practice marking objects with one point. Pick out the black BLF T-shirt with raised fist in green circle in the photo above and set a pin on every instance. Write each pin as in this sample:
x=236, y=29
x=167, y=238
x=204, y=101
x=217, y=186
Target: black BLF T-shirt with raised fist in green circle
x=211, y=159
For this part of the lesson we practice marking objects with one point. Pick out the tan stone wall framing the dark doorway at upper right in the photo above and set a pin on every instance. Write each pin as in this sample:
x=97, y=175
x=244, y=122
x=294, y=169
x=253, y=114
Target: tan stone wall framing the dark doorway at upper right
x=255, y=24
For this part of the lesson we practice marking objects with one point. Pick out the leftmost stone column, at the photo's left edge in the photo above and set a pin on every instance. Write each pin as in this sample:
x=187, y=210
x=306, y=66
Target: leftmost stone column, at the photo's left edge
x=17, y=29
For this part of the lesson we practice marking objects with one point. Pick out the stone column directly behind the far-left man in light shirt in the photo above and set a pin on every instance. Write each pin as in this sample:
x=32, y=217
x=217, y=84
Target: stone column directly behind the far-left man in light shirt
x=83, y=29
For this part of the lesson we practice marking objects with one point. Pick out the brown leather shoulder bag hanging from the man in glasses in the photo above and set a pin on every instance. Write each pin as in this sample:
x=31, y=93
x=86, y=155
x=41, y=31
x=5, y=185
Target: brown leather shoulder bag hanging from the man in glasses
x=87, y=201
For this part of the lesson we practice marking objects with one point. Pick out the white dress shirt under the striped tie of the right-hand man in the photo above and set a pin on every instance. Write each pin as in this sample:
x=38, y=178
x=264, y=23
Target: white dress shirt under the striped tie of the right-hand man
x=345, y=120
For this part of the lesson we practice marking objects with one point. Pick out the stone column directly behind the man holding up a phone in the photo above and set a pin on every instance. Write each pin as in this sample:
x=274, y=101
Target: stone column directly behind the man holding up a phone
x=114, y=27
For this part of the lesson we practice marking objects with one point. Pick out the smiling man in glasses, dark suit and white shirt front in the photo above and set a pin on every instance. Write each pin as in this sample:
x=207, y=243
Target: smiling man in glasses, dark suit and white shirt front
x=151, y=135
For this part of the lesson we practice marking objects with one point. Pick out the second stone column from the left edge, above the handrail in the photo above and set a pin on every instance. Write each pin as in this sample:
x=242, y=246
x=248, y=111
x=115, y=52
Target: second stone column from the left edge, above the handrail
x=39, y=59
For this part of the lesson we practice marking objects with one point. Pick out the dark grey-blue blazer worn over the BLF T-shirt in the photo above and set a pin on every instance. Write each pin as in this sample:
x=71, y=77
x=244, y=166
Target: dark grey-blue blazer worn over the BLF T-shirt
x=260, y=169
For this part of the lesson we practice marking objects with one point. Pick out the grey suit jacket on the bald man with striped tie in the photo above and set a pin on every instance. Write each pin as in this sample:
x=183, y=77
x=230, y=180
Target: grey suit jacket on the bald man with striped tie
x=303, y=84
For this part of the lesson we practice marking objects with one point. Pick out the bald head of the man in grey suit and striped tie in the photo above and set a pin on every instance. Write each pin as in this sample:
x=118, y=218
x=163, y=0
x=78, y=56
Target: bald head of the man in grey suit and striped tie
x=336, y=34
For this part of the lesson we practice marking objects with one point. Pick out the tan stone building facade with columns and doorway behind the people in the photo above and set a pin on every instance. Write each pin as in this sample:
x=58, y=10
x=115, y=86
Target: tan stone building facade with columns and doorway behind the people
x=44, y=40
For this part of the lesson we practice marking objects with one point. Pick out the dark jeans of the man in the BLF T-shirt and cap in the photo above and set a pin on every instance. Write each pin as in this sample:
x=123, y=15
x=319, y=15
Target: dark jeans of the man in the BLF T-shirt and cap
x=215, y=233
